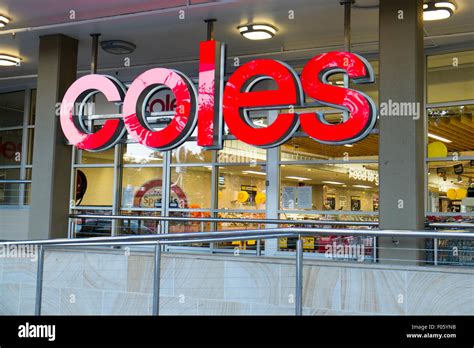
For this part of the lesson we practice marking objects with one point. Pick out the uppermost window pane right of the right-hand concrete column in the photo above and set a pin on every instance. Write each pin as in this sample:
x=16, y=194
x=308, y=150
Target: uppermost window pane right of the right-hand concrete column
x=450, y=77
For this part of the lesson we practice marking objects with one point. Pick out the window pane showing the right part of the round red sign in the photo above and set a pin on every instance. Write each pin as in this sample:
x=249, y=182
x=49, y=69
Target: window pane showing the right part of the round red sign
x=191, y=187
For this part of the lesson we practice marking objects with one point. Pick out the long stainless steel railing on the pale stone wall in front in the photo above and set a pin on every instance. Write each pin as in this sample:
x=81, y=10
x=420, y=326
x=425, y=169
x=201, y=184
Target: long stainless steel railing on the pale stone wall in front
x=179, y=238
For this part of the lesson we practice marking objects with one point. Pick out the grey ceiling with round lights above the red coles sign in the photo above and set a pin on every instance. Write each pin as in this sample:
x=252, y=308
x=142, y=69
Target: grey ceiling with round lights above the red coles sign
x=162, y=38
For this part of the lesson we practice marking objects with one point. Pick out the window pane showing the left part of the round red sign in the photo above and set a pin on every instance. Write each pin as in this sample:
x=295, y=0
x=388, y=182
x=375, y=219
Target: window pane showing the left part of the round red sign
x=142, y=187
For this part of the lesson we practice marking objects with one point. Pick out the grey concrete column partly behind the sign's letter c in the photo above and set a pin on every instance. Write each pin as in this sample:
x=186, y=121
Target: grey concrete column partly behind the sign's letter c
x=57, y=67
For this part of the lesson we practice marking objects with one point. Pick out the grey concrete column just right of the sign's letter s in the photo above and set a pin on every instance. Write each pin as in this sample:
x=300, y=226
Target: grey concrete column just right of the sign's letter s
x=402, y=133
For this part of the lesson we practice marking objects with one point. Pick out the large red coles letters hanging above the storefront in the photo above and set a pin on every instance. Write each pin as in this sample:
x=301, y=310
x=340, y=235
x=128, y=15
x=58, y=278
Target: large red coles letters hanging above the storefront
x=215, y=103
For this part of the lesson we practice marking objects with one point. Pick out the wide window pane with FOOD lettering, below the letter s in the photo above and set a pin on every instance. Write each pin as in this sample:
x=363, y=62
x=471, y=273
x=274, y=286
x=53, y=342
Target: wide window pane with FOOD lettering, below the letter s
x=332, y=187
